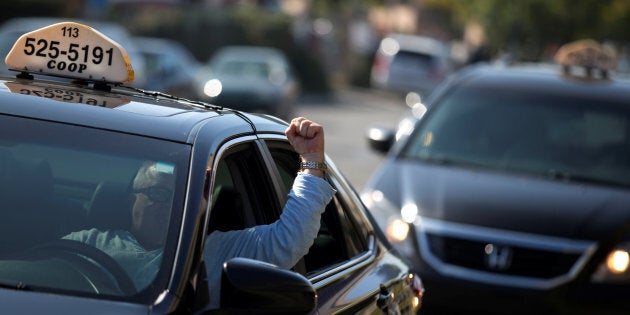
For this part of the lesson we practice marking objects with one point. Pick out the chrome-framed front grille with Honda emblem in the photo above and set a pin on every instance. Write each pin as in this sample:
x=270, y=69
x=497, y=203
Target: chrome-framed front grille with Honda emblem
x=501, y=257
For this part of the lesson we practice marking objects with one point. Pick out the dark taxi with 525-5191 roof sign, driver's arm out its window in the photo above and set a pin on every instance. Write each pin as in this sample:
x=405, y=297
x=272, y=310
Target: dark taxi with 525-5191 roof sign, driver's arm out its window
x=73, y=136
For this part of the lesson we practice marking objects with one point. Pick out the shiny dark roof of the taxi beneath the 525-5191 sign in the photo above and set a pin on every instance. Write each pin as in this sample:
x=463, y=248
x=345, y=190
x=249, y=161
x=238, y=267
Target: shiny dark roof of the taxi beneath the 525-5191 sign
x=129, y=111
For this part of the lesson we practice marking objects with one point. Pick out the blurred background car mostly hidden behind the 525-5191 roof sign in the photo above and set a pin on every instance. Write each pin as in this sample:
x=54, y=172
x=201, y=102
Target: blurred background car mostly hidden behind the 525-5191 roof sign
x=14, y=28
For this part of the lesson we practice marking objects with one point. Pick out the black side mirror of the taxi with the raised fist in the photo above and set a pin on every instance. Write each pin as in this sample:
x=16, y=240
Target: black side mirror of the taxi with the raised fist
x=250, y=286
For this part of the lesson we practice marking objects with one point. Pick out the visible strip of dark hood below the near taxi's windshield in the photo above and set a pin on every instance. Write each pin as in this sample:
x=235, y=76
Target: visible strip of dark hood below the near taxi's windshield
x=28, y=302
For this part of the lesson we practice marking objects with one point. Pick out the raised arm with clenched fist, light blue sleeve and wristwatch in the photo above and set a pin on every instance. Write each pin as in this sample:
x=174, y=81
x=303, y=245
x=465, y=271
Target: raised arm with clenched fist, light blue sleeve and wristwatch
x=285, y=241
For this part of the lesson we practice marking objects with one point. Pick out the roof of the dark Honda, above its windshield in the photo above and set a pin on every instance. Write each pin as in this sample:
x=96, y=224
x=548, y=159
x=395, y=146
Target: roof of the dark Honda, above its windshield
x=542, y=78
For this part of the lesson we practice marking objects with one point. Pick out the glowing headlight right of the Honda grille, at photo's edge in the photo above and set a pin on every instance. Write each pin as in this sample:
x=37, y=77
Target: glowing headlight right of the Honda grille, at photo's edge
x=615, y=268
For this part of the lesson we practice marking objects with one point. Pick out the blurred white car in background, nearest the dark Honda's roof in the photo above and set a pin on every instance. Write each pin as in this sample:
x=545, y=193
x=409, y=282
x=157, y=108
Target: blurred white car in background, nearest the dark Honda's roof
x=409, y=63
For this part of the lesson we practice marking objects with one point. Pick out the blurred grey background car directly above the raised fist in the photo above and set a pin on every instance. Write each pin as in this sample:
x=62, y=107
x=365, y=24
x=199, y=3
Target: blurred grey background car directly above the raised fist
x=255, y=79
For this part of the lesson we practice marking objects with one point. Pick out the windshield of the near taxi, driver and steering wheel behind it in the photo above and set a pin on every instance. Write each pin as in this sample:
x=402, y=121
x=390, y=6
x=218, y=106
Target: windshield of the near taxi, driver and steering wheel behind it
x=65, y=190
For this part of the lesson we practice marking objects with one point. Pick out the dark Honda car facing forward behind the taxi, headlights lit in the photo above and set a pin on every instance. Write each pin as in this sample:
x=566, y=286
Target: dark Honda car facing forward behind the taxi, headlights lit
x=511, y=194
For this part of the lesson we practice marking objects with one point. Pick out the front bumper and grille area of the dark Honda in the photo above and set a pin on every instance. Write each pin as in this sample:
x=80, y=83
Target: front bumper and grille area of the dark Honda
x=455, y=269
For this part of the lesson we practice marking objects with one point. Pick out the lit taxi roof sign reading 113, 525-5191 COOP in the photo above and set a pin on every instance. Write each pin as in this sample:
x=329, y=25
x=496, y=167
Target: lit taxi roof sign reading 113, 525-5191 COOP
x=71, y=50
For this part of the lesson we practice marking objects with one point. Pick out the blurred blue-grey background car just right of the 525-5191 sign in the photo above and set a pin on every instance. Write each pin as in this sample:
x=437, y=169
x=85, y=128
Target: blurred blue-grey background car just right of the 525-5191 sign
x=170, y=66
